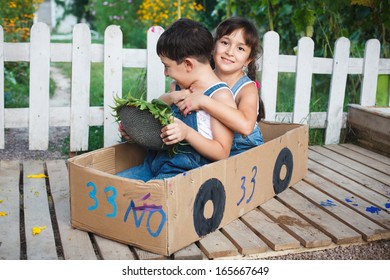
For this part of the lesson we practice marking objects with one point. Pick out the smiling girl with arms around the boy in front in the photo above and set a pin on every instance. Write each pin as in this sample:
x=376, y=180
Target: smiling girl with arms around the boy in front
x=236, y=50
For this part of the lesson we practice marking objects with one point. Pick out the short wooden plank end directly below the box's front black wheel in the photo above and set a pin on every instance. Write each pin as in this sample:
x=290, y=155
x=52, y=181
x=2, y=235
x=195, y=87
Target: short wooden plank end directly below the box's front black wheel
x=217, y=245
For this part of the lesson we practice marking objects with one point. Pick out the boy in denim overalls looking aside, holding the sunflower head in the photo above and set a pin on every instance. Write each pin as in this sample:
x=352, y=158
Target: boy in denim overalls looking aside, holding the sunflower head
x=203, y=138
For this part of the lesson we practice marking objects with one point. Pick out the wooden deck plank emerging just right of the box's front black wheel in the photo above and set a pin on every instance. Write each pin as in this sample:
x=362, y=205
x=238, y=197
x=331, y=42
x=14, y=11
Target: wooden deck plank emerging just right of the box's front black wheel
x=243, y=238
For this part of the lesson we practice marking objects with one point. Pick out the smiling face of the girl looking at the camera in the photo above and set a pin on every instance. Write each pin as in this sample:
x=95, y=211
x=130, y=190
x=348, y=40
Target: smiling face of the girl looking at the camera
x=231, y=53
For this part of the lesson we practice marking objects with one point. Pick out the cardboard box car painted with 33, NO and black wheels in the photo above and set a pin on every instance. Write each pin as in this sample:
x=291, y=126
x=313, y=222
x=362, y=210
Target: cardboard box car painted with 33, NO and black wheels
x=164, y=216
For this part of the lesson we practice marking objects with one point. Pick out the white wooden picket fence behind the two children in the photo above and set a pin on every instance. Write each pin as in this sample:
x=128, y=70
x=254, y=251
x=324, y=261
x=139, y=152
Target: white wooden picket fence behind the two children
x=40, y=52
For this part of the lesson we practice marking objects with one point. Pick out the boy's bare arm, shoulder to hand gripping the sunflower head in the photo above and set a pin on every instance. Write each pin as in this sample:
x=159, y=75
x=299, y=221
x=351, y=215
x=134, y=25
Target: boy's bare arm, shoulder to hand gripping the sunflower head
x=213, y=149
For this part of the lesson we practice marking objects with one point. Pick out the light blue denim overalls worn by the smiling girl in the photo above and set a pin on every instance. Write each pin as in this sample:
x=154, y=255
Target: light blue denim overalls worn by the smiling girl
x=242, y=143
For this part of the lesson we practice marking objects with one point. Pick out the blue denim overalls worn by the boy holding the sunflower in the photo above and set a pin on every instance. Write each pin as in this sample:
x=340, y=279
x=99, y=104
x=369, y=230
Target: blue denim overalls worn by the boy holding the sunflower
x=161, y=164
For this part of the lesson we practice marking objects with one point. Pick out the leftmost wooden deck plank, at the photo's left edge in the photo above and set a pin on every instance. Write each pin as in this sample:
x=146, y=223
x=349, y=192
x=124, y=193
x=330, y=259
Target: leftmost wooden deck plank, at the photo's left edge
x=9, y=207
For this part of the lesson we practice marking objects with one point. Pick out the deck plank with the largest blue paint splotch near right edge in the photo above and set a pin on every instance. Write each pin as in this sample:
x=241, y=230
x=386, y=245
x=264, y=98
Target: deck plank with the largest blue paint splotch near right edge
x=364, y=207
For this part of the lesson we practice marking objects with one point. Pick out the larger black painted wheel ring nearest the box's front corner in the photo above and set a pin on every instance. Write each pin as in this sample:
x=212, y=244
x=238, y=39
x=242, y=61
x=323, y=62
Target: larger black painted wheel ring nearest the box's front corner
x=214, y=191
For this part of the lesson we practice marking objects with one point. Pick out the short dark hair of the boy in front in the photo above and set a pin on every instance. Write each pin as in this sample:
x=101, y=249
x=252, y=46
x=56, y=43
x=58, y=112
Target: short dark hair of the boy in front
x=186, y=38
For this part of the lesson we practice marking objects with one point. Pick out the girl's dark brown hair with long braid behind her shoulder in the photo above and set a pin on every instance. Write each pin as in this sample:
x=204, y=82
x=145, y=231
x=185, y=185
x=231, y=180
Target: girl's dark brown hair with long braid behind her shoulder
x=251, y=38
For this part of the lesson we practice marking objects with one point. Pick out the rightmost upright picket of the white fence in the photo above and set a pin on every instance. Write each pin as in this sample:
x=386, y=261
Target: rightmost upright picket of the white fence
x=370, y=73
